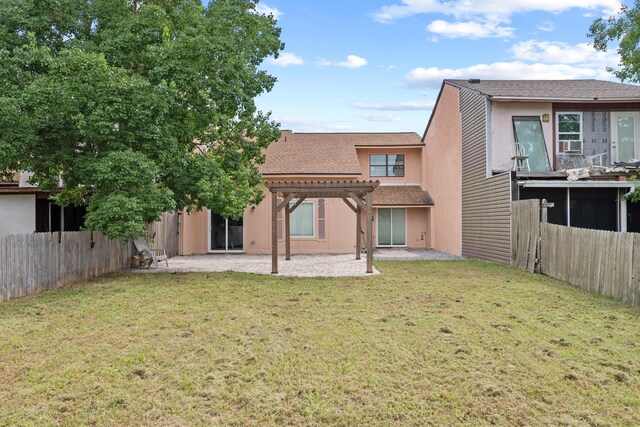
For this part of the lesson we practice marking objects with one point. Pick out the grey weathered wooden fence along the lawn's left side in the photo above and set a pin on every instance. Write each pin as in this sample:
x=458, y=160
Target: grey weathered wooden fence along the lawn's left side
x=32, y=263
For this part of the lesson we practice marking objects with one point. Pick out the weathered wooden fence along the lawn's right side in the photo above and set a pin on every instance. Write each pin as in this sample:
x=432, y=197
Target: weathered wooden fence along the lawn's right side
x=606, y=262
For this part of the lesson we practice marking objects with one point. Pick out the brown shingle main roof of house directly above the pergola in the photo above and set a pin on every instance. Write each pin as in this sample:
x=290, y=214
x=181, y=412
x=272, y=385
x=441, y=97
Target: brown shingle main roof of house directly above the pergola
x=326, y=153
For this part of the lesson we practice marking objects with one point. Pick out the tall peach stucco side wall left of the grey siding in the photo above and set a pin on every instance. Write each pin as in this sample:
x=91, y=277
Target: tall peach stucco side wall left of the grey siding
x=443, y=172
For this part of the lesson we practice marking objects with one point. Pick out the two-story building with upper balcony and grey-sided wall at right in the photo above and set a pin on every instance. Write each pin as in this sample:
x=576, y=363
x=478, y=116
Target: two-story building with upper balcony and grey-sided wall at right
x=489, y=142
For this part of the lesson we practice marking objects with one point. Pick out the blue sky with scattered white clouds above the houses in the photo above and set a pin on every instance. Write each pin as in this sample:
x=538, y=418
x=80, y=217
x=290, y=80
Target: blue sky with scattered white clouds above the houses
x=377, y=66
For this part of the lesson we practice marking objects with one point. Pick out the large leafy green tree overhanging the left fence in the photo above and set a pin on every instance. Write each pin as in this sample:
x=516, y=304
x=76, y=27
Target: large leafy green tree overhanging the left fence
x=139, y=106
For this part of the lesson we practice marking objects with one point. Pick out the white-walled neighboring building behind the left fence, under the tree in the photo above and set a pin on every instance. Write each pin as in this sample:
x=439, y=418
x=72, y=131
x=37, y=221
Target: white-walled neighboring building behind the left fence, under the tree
x=25, y=209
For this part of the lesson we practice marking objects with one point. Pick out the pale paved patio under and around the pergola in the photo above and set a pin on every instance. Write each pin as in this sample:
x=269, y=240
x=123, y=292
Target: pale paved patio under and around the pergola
x=300, y=265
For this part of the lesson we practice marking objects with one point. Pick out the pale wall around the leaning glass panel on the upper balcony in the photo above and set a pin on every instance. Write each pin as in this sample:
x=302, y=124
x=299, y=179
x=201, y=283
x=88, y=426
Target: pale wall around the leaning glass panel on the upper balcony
x=502, y=137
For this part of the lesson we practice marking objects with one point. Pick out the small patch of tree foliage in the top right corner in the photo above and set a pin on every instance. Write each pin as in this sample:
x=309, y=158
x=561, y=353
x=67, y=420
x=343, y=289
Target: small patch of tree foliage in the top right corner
x=624, y=30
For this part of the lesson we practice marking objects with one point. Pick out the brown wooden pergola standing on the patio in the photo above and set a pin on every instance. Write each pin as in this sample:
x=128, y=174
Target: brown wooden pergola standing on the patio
x=360, y=192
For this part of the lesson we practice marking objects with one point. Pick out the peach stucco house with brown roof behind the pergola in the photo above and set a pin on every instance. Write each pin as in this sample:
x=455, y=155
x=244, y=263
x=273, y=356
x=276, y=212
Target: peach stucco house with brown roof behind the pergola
x=402, y=206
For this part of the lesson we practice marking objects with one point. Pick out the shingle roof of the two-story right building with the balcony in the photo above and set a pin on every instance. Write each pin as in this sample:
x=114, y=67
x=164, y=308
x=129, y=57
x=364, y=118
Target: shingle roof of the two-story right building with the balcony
x=553, y=89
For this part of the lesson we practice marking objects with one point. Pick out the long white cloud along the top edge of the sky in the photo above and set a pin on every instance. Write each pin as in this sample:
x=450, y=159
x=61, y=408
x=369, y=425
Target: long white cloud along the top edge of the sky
x=489, y=8
